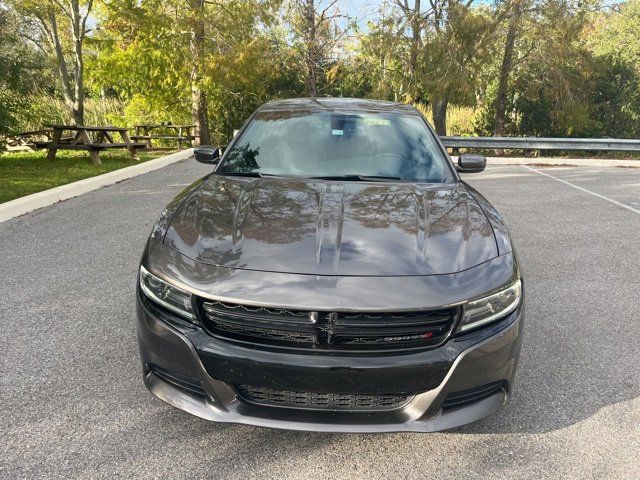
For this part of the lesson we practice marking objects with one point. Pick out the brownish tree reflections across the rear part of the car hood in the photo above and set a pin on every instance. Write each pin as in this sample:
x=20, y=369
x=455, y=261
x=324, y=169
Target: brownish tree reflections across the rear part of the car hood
x=213, y=224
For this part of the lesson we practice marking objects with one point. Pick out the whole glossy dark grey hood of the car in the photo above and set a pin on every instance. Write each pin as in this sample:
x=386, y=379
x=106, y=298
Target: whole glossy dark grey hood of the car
x=332, y=228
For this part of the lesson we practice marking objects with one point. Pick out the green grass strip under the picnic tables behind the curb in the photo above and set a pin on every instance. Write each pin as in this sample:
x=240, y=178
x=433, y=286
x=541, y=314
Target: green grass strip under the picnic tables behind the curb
x=23, y=173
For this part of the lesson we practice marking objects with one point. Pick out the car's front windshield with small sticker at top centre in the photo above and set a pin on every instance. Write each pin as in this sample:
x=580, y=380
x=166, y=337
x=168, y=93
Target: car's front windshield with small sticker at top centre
x=338, y=145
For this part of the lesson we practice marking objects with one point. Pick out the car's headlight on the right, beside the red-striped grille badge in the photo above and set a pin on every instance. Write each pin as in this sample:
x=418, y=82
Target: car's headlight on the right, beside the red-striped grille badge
x=485, y=310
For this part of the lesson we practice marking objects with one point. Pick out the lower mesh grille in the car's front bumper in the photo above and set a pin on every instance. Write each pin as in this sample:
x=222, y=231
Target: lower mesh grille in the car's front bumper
x=320, y=401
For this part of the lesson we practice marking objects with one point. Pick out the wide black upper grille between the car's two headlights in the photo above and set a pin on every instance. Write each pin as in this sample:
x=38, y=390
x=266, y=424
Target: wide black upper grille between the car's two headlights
x=328, y=330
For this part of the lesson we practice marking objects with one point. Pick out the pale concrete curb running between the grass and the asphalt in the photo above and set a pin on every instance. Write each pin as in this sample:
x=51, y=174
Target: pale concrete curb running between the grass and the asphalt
x=20, y=206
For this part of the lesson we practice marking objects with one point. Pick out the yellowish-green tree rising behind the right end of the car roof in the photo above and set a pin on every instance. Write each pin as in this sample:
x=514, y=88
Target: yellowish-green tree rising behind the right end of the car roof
x=431, y=55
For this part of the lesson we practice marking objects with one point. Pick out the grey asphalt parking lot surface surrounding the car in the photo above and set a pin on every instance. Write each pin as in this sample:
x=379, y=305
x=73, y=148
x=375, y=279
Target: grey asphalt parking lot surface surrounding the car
x=73, y=404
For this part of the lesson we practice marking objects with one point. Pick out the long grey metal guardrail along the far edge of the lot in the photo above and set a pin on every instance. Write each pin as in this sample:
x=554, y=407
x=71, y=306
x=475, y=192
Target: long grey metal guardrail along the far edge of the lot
x=534, y=143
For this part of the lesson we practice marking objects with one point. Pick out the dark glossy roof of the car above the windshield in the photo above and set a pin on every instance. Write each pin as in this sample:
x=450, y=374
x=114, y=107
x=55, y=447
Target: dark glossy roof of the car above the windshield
x=334, y=103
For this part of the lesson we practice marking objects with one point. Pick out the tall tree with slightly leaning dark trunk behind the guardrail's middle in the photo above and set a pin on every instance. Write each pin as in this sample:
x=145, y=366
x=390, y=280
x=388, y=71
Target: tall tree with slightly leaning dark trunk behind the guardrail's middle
x=546, y=83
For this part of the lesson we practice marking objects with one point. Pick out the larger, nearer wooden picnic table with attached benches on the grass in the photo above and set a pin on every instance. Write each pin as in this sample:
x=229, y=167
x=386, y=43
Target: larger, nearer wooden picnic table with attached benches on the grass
x=93, y=139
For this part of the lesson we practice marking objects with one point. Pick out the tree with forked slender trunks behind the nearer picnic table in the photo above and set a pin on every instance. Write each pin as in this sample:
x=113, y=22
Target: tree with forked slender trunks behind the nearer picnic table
x=65, y=46
